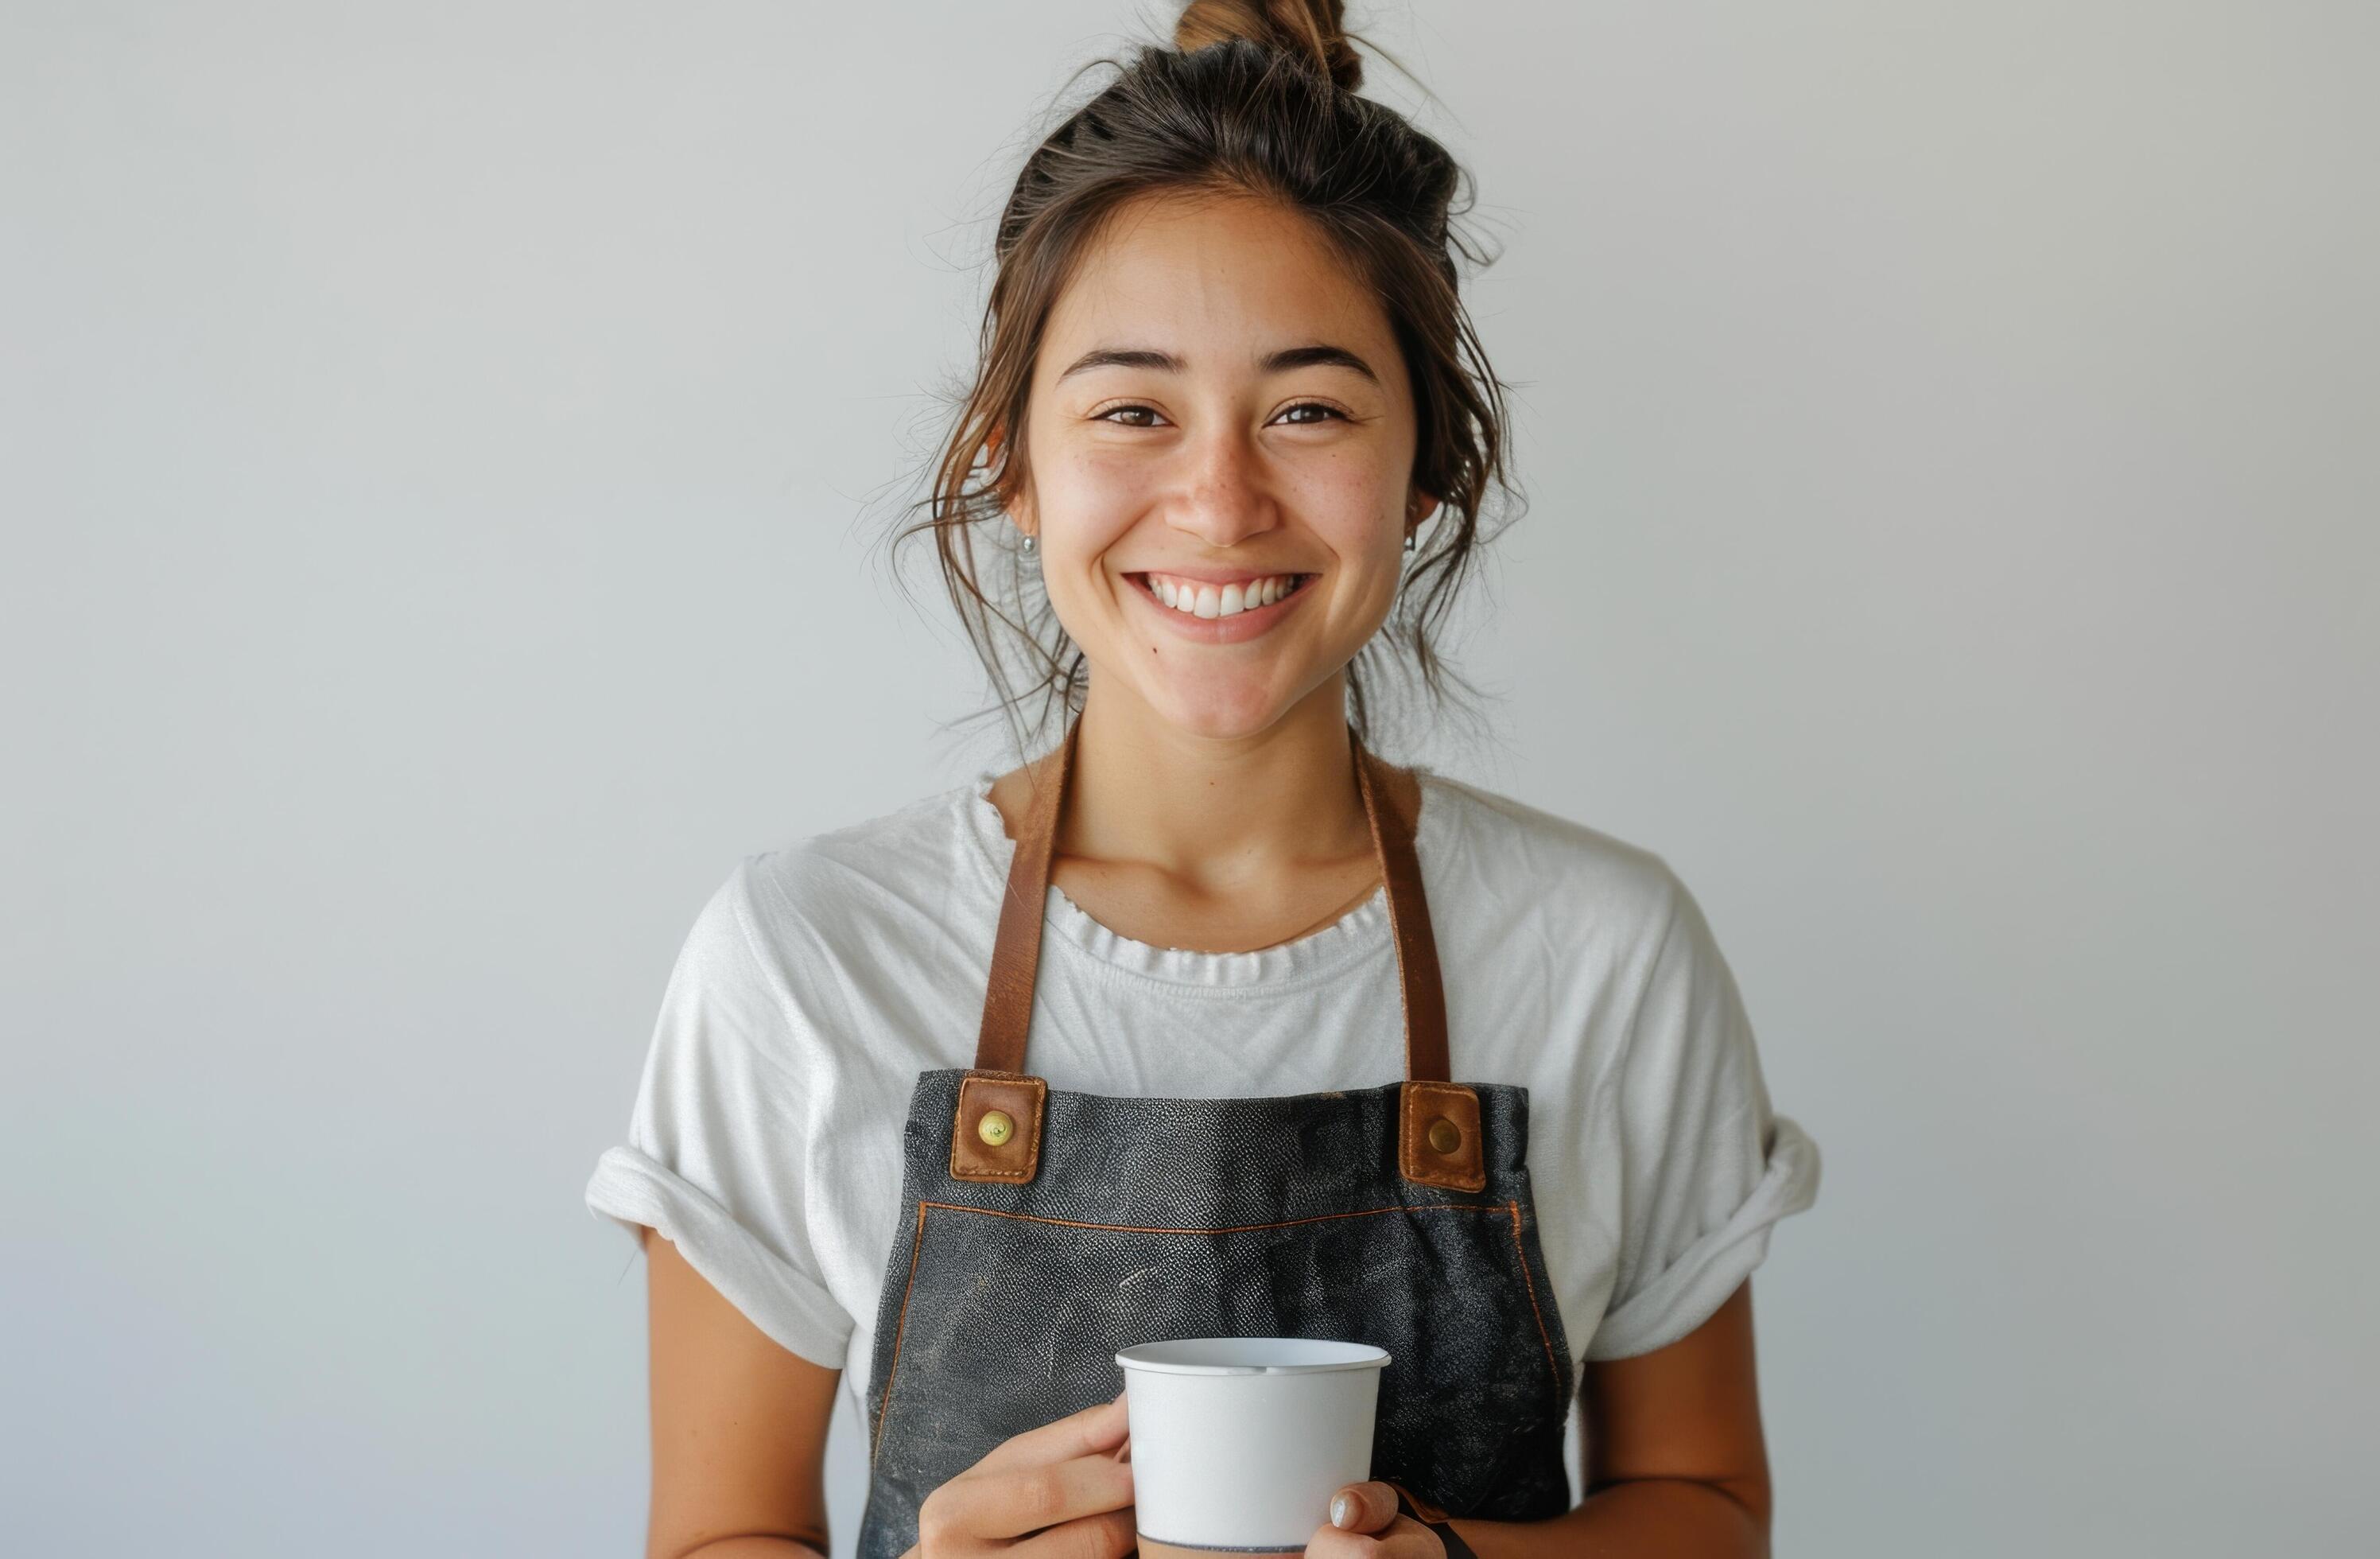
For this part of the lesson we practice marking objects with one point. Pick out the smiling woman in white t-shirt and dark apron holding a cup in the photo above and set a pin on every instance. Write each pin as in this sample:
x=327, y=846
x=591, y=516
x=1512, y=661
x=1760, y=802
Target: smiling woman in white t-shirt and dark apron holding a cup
x=1324, y=1046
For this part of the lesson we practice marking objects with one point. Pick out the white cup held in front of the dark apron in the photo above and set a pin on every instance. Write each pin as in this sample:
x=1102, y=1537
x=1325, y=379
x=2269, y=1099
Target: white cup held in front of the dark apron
x=1239, y=1444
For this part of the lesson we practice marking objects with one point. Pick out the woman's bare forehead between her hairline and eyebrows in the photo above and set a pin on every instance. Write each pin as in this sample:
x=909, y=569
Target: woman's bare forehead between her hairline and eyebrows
x=1232, y=275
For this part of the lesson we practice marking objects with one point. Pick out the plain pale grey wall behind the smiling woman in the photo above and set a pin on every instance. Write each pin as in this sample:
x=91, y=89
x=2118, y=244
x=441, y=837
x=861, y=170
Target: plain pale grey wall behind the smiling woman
x=446, y=456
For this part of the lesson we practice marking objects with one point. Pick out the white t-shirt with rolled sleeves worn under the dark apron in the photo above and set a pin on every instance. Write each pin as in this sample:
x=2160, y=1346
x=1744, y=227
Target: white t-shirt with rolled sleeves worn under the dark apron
x=822, y=977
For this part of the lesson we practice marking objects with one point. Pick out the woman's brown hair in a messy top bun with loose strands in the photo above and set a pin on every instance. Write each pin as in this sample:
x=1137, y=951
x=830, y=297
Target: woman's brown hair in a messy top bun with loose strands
x=1253, y=99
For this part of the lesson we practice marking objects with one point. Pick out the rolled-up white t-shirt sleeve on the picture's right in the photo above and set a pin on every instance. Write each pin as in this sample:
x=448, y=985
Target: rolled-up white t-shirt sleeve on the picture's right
x=1708, y=1167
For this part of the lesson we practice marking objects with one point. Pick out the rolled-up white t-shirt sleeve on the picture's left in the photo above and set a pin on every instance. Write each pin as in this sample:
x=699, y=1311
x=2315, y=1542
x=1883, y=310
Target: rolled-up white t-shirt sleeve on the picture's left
x=713, y=1151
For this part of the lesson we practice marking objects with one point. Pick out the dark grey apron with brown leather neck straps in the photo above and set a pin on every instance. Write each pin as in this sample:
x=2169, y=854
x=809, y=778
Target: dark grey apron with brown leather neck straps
x=1044, y=1232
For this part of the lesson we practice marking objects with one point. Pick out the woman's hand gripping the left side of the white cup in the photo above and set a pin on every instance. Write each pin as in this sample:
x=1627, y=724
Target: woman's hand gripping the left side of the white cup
x=1065, y=1489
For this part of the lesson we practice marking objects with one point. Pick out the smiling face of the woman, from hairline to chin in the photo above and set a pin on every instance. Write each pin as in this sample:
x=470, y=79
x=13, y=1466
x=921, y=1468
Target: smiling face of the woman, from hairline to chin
x=1220, y=413
